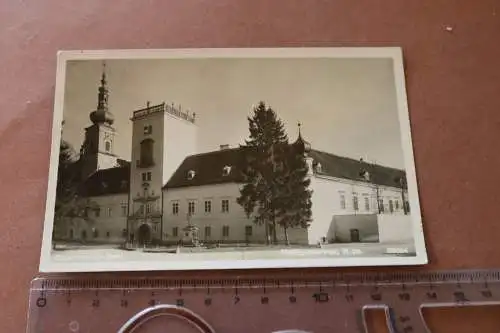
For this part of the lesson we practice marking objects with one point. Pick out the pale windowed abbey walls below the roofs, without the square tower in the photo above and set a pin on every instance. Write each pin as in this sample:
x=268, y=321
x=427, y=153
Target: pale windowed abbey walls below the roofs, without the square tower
x=219, y=218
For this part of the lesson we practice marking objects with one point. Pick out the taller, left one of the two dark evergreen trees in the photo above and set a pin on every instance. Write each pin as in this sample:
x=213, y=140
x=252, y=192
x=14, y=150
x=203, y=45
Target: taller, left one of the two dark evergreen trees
x=264, y=172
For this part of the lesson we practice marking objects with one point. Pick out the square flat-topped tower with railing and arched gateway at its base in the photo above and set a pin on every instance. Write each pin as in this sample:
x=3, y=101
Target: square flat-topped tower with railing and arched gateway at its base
x=163, y=135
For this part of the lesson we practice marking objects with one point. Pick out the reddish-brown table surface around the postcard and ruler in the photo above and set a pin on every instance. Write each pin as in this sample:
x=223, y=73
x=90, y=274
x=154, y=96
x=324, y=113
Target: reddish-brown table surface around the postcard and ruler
x=452, y=59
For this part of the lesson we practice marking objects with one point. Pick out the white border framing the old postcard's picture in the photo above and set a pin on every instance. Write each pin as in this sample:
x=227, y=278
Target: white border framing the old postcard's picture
x=47, y=264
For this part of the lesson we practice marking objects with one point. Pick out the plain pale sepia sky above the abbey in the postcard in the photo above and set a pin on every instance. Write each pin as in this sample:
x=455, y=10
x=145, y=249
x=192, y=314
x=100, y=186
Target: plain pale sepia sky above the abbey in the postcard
x=346, y=106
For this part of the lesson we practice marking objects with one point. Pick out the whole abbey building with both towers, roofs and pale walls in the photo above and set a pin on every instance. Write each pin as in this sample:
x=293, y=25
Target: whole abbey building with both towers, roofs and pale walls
x=169, y=189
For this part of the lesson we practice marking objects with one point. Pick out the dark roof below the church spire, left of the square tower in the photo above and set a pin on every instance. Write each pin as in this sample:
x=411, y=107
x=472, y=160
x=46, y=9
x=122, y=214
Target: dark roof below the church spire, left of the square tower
x=108, y=181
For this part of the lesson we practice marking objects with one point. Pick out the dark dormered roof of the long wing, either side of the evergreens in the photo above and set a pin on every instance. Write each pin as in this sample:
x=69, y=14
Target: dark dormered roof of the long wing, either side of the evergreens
x=208, y=169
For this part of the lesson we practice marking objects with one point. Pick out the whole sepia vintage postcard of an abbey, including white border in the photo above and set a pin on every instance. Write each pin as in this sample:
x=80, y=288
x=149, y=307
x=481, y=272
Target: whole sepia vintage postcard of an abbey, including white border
x=231, y=158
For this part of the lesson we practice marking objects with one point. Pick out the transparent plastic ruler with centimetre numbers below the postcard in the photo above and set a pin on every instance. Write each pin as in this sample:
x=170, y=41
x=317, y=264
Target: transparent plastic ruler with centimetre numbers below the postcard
x=255, y=302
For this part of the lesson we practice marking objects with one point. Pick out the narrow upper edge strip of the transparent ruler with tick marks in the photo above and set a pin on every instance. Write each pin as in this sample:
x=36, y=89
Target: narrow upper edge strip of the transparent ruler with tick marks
x=93, y=282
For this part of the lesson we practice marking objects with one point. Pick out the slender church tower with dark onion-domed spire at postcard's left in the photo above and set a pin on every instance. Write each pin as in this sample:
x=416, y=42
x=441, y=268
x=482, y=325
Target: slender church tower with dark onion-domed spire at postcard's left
x=97, y=151
